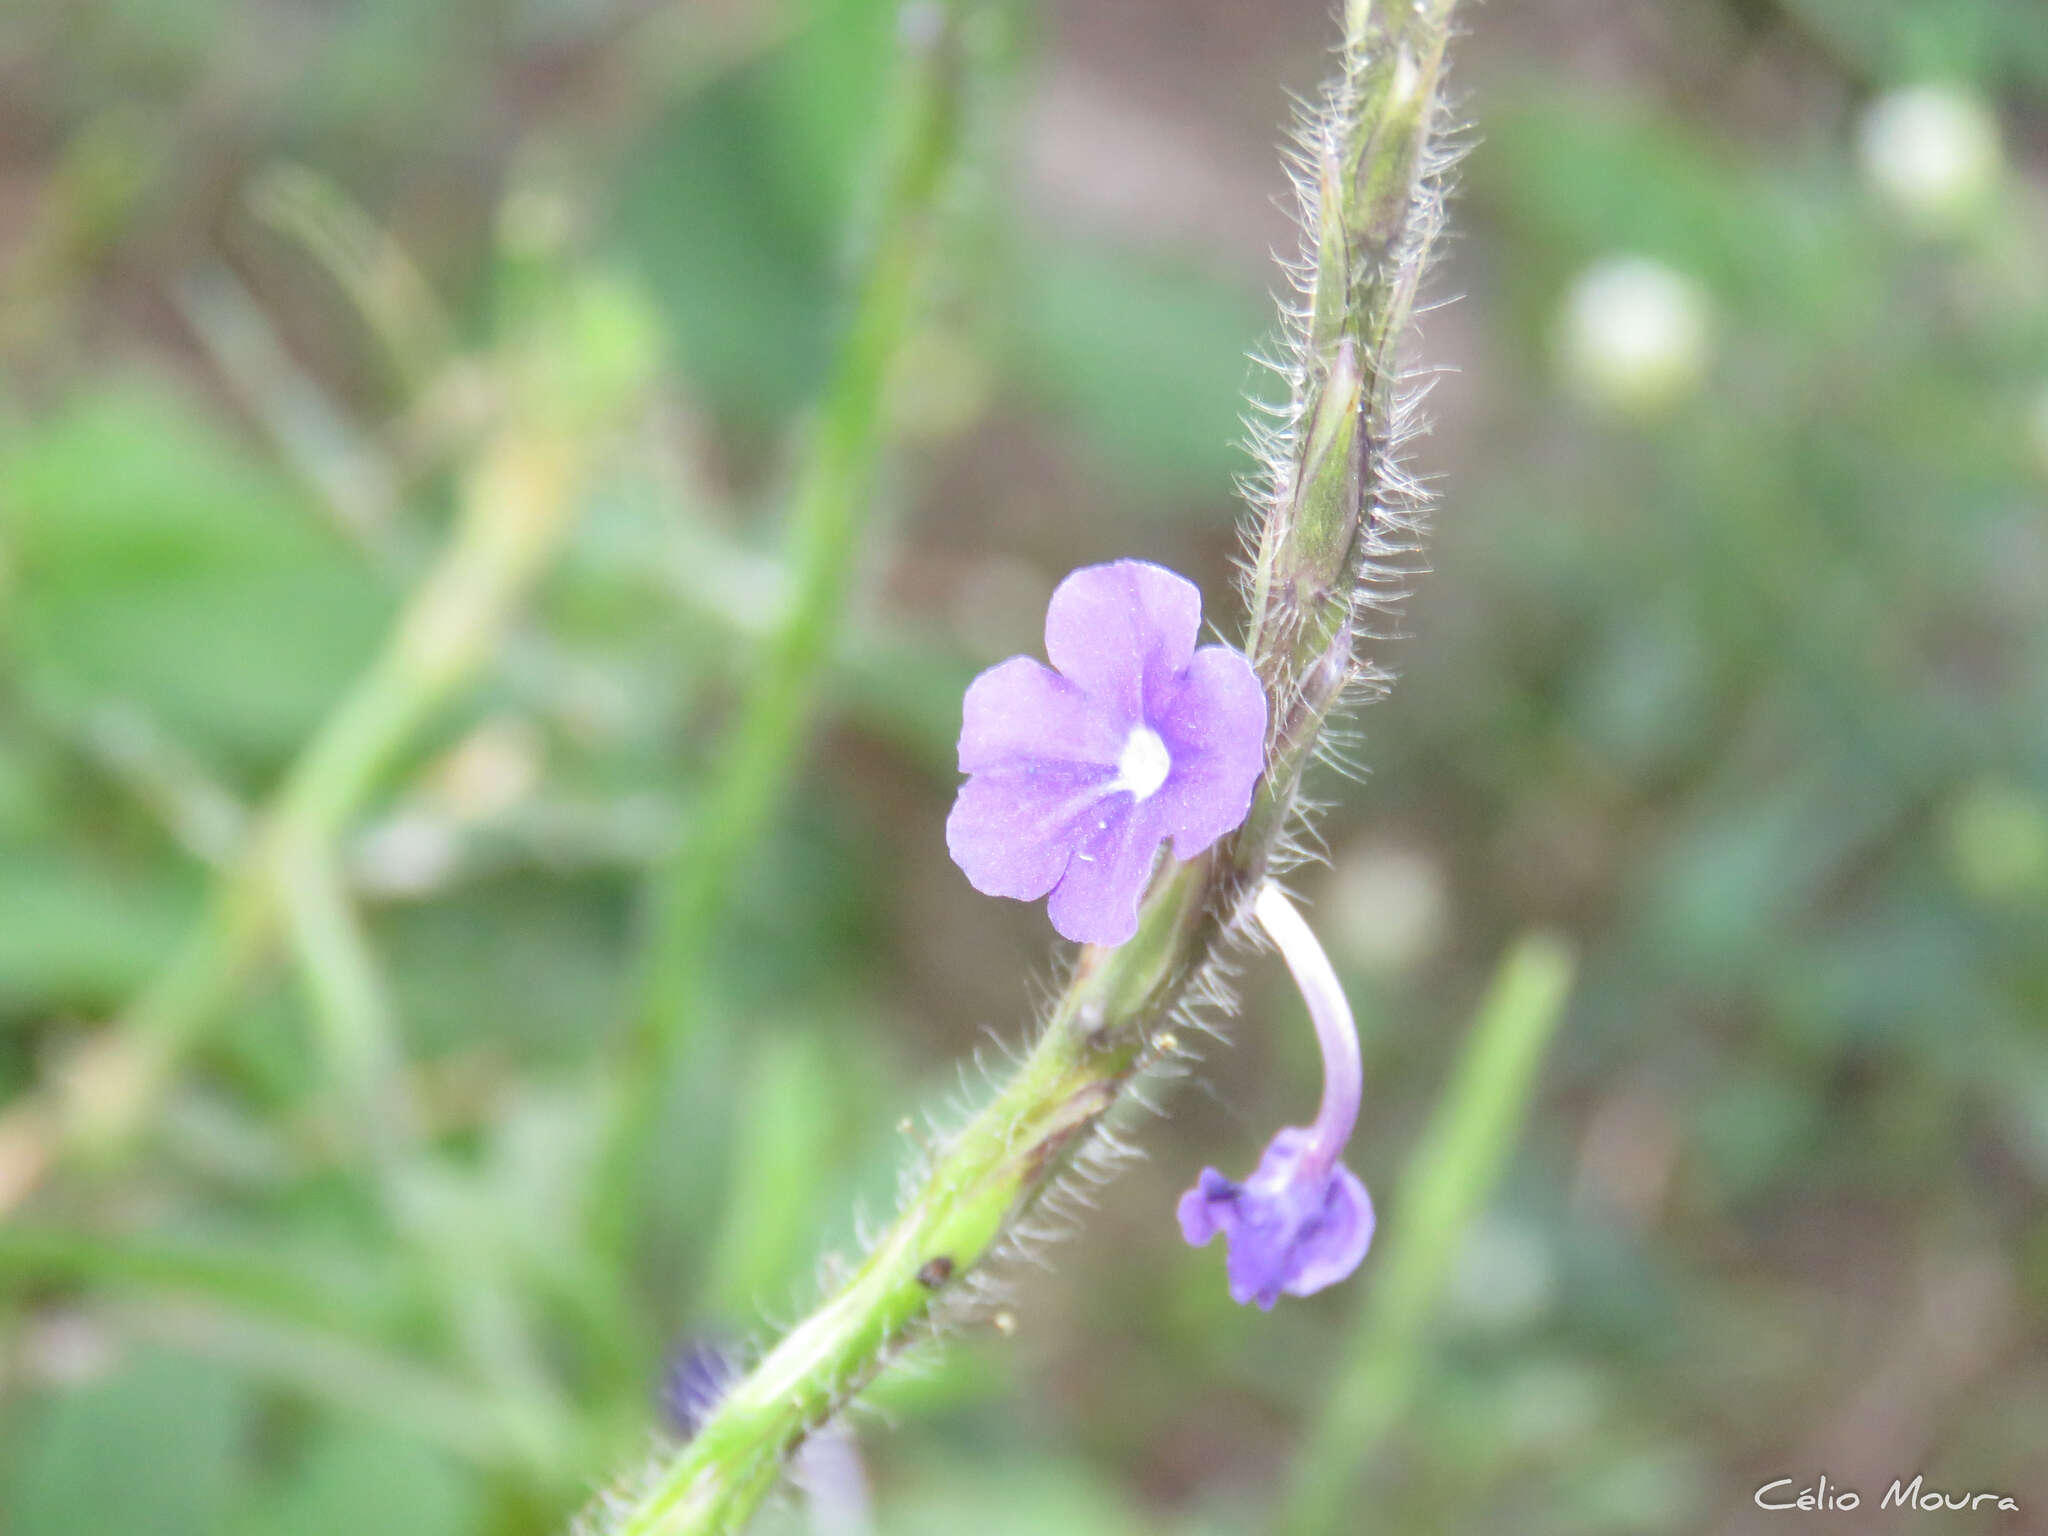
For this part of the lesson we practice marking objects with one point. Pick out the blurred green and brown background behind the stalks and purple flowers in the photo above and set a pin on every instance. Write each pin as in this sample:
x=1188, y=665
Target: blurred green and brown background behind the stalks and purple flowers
x=1734, y=669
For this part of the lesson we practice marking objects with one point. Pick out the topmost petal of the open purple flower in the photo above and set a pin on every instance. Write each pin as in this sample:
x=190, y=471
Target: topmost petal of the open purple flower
x=1123, y=632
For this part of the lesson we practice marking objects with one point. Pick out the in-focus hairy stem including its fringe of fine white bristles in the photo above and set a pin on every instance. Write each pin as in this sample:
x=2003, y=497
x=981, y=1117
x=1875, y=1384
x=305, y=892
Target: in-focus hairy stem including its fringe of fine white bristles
x=1330, y=552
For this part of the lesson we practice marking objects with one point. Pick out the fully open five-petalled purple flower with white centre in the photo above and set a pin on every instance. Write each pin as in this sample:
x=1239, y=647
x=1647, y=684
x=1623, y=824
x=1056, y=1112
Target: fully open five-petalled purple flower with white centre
x=1078, y=775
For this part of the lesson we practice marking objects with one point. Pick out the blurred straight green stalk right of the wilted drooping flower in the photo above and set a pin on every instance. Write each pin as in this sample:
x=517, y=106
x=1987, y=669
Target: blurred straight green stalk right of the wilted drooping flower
x=1455, y=1170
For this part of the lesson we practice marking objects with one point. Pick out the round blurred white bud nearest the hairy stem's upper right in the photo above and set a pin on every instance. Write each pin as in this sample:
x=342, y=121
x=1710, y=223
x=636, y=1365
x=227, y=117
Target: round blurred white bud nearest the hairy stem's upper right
x=1635, y=337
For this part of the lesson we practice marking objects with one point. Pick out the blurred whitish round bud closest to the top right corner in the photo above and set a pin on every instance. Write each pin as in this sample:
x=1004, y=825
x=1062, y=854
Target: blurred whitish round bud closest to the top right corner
x=1932, y=155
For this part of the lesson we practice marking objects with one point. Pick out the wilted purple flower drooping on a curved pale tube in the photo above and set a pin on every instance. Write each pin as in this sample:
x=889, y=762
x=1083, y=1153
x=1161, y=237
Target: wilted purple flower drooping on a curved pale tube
x=1302, y=1222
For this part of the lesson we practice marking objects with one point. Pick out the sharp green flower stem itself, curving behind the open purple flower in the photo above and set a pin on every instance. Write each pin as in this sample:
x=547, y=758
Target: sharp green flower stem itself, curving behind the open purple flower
x=1334, y=517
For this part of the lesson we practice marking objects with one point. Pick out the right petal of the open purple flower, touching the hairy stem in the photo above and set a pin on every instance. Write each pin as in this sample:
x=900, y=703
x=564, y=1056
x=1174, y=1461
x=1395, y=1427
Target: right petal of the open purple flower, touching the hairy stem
x=1213, y=722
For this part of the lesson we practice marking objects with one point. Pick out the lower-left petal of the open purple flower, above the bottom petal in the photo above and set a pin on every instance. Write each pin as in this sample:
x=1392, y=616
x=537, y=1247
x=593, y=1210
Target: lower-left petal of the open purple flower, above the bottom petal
x=1015, y=833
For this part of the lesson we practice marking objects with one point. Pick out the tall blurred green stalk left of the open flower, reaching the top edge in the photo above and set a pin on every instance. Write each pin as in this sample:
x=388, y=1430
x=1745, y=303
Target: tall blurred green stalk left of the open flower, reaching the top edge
x=830, y=513
